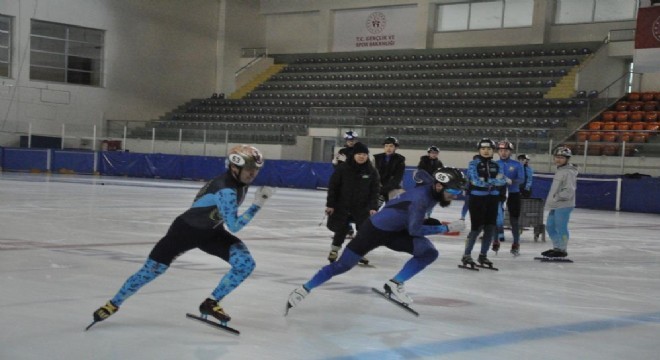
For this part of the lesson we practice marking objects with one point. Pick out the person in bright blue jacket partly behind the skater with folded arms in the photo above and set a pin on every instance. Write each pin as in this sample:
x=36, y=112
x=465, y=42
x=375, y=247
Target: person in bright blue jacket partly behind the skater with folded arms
x=513, y=170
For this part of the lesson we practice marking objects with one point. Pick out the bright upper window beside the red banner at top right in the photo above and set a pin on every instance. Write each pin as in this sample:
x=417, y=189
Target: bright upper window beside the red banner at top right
x=587, y=11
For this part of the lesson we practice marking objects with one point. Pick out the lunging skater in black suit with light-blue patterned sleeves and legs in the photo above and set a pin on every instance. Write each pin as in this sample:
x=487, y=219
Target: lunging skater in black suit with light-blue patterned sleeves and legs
x=203, y=226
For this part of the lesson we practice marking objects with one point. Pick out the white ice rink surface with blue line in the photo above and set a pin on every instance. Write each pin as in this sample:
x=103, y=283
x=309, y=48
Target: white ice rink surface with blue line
x=67, y=243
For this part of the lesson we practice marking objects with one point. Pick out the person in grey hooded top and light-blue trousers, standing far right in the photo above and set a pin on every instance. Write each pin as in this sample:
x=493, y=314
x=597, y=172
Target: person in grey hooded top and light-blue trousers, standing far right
x=561, y=202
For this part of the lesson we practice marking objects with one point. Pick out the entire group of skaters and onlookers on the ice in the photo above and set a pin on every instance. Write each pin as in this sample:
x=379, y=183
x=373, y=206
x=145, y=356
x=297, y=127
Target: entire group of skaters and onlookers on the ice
x=370, y=196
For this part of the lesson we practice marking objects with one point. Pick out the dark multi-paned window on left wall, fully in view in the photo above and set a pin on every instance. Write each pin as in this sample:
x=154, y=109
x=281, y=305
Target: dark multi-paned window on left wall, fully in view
x=64, y=53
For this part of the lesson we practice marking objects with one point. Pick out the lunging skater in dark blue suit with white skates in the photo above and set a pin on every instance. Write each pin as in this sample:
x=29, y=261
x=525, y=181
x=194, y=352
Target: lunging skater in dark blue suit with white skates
x=399, y=226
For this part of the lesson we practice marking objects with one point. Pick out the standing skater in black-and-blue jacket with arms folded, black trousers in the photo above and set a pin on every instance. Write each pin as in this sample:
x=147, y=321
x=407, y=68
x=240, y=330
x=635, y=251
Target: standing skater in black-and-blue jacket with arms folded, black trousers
x=485, y=177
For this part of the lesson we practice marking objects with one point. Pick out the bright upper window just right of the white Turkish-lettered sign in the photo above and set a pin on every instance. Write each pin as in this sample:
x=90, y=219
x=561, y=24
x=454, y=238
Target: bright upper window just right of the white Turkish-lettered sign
x=489, y=14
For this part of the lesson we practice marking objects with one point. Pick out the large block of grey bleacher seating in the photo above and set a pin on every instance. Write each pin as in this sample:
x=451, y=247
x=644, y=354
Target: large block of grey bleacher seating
x=458, y=95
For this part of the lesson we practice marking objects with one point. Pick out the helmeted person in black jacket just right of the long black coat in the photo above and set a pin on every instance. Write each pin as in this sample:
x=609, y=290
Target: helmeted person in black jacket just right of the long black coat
x=391, y=167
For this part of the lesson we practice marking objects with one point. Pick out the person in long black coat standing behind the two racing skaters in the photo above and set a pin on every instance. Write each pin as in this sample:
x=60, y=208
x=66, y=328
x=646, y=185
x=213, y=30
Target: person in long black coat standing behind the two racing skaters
x=352, y=196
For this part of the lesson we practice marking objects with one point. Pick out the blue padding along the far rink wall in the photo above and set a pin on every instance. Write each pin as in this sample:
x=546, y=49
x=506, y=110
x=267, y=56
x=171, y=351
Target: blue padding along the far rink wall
x=638, y=195
